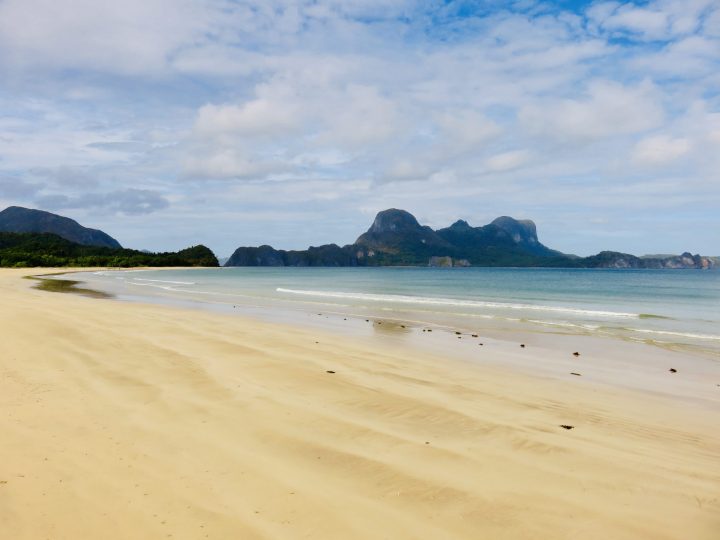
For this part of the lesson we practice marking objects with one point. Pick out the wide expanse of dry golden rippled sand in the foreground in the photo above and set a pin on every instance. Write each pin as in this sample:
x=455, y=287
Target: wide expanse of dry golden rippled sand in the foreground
x=134, y=421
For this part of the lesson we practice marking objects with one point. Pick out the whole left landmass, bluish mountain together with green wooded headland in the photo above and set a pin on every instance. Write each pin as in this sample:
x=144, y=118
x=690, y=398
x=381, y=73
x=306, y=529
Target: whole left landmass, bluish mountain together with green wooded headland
x=30, y=238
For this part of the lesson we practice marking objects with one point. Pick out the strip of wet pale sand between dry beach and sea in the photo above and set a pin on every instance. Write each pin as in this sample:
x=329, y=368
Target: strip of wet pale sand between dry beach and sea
x=608, y=361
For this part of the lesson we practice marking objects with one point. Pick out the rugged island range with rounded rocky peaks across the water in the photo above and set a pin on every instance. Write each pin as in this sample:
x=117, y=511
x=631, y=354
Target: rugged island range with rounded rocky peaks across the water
x=395, y=238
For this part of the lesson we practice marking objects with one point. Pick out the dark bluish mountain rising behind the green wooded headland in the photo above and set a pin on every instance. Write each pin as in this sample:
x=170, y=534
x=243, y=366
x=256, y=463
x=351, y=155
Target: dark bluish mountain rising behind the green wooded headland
x=16, y=219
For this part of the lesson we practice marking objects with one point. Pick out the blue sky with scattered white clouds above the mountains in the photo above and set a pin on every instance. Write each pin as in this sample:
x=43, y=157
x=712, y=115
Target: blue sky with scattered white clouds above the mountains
x=168, y=123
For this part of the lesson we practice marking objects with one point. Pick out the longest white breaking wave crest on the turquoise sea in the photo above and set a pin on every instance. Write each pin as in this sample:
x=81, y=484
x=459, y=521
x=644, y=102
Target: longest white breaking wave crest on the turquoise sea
x=402, y=299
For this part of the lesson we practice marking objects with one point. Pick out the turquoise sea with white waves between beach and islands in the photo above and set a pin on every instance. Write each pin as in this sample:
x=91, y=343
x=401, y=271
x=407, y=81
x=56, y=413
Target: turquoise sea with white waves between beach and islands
x=667, y=307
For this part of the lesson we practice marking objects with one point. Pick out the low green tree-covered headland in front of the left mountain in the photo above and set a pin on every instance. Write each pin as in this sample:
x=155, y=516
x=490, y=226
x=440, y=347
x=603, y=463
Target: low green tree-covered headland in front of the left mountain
x=27, y=250
